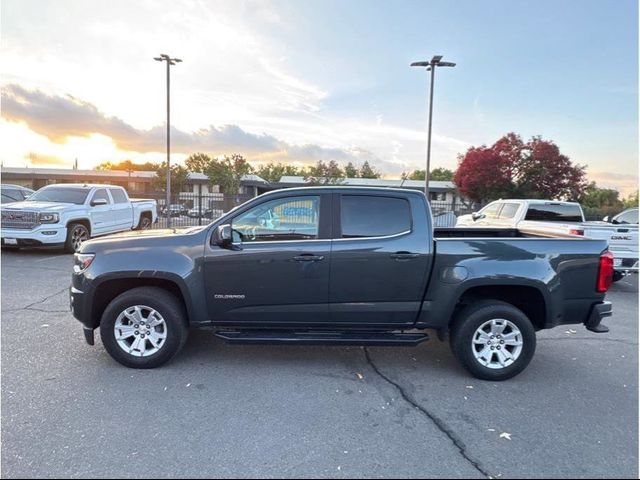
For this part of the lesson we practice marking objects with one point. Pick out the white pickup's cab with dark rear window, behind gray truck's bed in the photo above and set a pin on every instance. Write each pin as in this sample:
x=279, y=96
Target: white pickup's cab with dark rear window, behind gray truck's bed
x=545, y=217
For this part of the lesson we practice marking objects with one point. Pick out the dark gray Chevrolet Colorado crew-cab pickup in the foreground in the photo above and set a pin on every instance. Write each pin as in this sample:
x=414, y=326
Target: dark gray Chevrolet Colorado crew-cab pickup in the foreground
x=342, y=266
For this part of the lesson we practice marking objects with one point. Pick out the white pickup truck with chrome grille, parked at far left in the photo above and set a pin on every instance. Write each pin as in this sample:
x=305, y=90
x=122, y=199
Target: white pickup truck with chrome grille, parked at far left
x=66, y=215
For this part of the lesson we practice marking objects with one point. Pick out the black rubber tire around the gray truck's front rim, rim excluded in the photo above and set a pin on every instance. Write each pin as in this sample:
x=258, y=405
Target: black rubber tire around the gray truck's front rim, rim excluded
x=167, y=305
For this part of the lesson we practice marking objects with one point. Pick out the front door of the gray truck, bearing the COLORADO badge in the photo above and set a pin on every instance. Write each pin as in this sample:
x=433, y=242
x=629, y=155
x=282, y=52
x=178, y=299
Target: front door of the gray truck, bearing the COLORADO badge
x=278, y=269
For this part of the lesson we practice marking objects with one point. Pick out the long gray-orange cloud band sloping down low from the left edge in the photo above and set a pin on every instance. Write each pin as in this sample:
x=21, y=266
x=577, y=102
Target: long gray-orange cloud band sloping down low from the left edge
x=60, y=117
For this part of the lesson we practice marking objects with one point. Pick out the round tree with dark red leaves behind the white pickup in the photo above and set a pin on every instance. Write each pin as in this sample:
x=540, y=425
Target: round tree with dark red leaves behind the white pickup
x=513, y=168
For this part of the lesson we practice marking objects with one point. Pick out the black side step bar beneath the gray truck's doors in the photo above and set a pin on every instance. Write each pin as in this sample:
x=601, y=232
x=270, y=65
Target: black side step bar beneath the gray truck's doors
x=257, y=337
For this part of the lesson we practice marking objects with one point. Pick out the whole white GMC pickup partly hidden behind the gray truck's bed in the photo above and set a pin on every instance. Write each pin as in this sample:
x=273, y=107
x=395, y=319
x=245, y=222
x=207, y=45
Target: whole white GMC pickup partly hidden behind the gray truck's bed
x=555, y=218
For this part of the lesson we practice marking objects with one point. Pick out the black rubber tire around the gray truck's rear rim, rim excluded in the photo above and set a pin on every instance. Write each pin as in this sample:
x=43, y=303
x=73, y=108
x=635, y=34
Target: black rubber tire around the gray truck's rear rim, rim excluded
x=467, y=323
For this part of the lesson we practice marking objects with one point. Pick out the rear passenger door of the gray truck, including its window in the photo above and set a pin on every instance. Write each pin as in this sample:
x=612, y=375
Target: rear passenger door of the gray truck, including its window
x=380, y=259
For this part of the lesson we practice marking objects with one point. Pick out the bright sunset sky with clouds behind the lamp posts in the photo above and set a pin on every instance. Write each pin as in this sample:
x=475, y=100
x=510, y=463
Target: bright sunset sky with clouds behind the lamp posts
x=301, y=81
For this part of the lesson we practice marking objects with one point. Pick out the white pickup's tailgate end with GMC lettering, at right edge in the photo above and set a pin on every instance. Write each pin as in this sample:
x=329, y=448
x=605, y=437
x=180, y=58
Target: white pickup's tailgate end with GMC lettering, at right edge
x=621, y=231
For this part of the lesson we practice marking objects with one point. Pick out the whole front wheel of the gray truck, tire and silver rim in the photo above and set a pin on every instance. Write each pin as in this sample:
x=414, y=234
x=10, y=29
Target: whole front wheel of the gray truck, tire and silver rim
x=144, y=327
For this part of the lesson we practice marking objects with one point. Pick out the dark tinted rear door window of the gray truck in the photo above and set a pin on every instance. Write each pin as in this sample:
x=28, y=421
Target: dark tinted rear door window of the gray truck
x=365, y=216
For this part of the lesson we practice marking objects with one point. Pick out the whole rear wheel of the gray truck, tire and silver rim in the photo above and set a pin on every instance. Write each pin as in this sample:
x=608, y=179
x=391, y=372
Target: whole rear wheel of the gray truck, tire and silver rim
x=493, y=340
